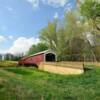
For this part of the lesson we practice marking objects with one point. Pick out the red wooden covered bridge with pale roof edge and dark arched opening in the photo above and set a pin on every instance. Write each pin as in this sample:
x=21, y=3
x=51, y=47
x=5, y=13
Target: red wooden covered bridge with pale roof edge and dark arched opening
x=36, y=59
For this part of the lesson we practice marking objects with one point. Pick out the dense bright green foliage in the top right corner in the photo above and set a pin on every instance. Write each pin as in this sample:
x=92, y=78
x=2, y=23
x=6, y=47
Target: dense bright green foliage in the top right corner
x=91, y=10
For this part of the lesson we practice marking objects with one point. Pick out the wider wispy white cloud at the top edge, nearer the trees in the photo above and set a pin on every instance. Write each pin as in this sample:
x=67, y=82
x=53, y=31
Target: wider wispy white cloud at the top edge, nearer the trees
x=55, y=3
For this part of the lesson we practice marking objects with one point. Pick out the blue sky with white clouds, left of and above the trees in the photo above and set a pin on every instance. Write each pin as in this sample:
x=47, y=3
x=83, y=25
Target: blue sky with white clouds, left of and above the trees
x=22, y=20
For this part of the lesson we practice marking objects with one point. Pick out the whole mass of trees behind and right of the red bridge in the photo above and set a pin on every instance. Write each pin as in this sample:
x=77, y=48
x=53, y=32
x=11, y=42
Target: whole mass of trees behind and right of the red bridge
x=76, y=36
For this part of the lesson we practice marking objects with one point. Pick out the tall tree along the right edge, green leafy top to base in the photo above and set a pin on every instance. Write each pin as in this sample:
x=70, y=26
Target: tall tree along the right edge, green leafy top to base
x=90, y=10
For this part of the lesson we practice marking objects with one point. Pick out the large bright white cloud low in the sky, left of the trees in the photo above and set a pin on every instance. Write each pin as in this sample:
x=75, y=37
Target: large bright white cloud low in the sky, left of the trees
x=22, y=45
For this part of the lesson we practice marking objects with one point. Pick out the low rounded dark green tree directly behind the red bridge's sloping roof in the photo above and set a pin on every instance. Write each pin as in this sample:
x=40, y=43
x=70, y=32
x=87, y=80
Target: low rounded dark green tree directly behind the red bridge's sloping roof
x=37, y=48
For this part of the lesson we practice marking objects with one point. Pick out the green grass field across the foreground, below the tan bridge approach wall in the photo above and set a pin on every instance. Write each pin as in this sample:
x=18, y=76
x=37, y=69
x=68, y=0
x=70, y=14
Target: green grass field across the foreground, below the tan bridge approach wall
x=21, y=83
